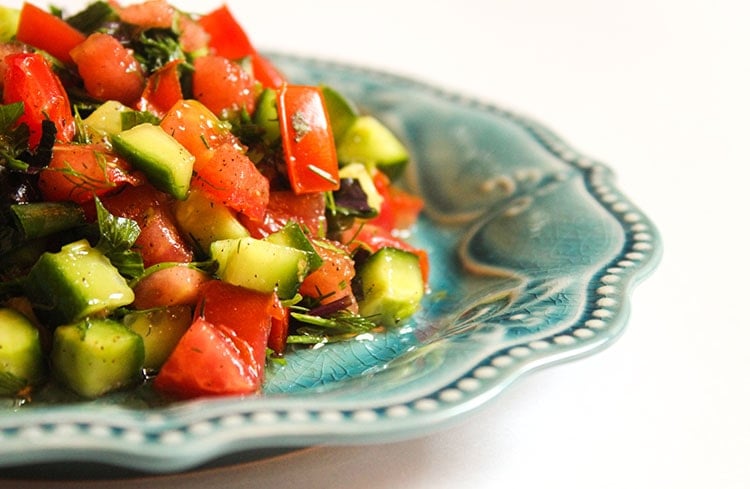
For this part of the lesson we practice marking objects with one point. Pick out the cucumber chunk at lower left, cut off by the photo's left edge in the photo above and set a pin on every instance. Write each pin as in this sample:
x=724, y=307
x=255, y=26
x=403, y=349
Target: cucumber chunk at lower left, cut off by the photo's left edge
x=22, y=362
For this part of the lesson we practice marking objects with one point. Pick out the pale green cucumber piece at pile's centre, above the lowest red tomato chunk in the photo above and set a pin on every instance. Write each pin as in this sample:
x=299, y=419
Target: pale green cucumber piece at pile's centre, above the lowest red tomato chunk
x=261, y=265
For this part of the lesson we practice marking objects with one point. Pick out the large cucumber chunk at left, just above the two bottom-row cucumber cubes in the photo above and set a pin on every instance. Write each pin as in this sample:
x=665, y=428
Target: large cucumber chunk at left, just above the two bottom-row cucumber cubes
x=76, y=282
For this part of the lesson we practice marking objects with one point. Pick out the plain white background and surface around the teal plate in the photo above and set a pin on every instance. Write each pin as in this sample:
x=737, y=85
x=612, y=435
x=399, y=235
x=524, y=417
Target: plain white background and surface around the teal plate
x=659, y=91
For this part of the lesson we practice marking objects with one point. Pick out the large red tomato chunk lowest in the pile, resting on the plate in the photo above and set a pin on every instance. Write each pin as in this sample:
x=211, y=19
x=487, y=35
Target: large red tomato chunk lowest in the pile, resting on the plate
x=209, y=360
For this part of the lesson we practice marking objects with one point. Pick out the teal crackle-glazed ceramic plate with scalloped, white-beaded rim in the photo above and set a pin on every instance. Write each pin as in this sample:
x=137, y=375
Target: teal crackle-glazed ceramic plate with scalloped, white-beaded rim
x=534, y=255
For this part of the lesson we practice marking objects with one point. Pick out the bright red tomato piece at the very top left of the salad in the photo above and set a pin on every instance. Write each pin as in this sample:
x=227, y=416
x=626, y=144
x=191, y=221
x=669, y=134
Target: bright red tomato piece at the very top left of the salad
x=47, y=32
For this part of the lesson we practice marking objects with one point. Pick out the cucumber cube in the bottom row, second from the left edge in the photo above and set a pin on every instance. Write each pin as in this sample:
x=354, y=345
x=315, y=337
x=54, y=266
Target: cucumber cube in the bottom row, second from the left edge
x=96, y=356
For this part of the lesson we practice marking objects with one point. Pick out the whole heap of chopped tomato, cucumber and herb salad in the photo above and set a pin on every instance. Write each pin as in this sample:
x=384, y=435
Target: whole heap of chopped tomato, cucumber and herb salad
x=176, y=212
